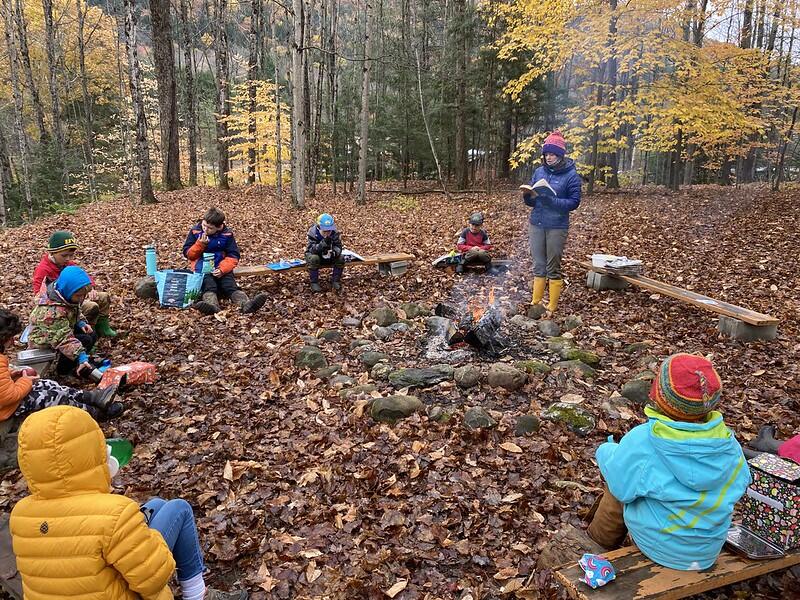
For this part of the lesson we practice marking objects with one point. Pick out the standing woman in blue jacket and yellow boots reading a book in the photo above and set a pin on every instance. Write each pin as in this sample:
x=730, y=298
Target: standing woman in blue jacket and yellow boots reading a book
x=554, y=191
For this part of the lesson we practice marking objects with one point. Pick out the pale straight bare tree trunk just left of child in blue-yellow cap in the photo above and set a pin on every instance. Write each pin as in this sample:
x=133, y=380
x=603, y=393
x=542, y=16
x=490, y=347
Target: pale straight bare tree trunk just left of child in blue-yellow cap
x=298, y=109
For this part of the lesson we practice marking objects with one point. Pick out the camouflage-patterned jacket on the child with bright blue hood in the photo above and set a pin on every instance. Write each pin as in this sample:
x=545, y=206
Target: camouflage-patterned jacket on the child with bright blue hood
x=53, y=321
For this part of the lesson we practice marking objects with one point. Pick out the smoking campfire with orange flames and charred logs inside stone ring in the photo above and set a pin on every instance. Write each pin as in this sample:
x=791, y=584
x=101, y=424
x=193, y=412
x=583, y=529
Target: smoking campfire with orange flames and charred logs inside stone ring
x=478, y=325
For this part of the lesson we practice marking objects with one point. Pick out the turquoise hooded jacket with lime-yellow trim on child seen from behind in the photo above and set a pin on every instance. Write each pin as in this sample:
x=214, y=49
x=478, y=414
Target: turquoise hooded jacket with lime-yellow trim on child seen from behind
x=678, y=483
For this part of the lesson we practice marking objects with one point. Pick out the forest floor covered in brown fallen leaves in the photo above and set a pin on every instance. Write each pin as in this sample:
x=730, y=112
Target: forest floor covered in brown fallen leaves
x=299, y=493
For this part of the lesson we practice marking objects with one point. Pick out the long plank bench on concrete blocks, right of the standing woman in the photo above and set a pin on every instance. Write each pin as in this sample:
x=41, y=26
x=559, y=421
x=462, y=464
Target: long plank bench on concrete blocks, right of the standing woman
x=737, y=322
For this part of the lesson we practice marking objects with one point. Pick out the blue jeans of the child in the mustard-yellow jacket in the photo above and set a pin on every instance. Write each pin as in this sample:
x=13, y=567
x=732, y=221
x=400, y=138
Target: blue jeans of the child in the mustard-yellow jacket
x=174, y=519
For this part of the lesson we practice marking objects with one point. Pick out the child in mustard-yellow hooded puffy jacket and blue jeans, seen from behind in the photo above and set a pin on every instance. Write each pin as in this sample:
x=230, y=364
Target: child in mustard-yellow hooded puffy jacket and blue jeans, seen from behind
x=74, y=538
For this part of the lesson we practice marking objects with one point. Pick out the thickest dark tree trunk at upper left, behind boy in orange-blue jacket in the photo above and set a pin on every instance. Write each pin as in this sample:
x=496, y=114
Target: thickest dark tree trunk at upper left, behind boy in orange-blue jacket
x=164, y=59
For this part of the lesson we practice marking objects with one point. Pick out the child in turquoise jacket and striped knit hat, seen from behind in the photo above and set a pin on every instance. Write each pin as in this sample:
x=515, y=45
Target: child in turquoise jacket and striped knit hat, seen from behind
x=672, y=483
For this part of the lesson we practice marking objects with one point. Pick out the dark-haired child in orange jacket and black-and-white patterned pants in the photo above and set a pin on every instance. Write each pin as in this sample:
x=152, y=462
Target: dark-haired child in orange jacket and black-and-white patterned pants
x=23, y=392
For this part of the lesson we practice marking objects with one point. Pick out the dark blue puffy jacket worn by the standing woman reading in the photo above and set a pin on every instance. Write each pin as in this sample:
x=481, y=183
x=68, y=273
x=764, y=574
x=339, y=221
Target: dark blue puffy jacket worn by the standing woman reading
x=553, y=213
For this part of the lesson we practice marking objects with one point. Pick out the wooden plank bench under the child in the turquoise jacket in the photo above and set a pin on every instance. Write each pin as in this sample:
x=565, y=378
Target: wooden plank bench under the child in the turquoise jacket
x=638, y=578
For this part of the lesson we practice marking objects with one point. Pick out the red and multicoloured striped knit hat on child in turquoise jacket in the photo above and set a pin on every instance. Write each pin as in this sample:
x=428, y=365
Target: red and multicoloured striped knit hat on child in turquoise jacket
x=687, y=387
